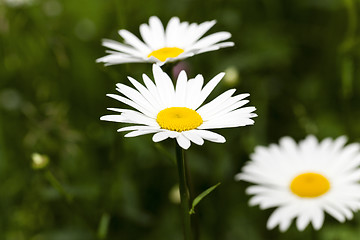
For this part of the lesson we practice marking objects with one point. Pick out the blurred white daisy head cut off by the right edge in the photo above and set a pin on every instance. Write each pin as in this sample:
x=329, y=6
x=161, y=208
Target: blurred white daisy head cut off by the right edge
x=305, y=180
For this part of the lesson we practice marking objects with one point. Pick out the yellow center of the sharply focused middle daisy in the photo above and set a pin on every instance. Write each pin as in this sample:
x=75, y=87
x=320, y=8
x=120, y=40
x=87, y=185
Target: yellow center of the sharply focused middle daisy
x=178, y=119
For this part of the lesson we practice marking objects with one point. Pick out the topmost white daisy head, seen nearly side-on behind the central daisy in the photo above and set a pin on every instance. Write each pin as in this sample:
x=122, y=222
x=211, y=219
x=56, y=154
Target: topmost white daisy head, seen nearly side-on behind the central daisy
x=178, y=41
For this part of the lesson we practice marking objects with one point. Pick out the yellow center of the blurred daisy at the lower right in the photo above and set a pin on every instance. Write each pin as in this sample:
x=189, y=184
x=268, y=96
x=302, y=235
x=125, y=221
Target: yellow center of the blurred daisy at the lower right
x=310, y=185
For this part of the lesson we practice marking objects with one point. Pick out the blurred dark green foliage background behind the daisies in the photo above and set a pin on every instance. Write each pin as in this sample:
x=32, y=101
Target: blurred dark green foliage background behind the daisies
x=299, y=60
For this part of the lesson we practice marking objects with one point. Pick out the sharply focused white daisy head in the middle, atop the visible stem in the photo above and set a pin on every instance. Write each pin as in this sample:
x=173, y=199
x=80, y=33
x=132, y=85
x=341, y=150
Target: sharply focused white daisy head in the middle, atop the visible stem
x=174, y=111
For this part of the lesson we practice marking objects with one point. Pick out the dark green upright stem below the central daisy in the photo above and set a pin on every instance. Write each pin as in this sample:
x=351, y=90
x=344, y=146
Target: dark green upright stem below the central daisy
x=184, y=193
